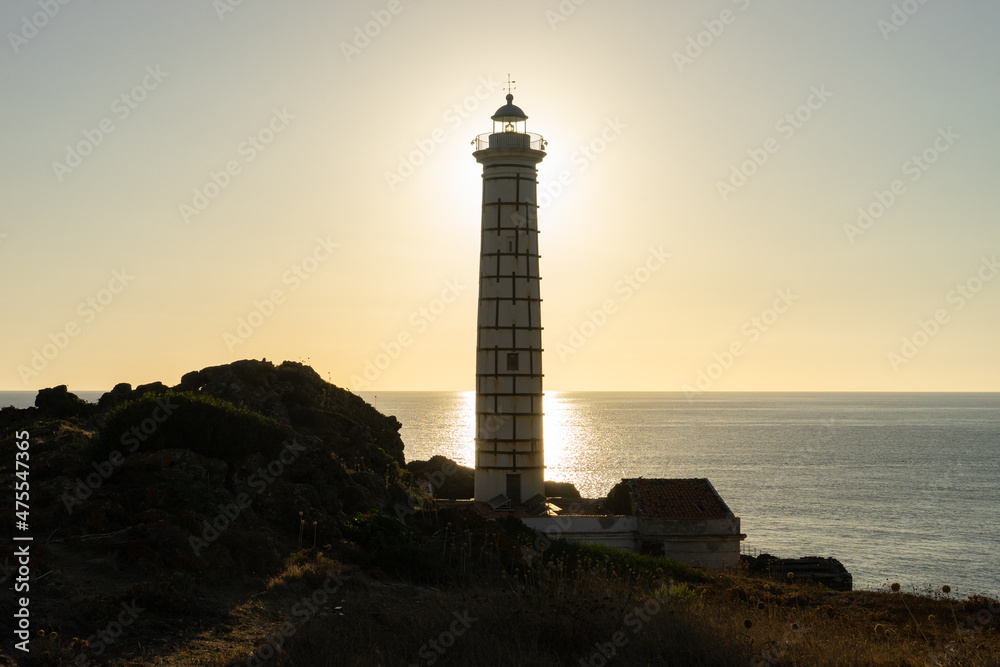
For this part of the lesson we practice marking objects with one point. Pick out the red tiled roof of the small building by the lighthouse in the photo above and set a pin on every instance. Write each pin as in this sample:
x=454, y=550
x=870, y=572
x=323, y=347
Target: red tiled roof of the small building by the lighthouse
x=676, y=499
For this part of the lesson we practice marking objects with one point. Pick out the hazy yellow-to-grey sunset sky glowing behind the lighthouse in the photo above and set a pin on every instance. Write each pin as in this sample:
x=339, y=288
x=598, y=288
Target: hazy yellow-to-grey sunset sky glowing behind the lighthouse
x=738, y=195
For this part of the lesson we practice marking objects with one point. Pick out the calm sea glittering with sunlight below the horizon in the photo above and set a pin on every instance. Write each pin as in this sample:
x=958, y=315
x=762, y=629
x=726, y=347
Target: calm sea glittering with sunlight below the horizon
x=899, y=487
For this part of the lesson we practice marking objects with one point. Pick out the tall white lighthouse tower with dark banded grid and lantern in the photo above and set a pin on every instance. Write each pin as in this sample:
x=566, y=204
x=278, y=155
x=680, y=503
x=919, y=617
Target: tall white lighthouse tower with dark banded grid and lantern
x=510, y=467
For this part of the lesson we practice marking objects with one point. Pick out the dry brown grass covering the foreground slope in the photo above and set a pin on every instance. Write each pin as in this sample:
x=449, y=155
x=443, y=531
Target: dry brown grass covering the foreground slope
x=549, y=618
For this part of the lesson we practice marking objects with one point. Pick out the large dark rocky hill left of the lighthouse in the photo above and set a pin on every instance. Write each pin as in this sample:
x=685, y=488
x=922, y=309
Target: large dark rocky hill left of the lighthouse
x=206, y=475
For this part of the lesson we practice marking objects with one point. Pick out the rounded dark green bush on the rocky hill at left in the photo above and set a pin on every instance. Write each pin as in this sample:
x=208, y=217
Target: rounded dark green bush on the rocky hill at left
x=203, y=424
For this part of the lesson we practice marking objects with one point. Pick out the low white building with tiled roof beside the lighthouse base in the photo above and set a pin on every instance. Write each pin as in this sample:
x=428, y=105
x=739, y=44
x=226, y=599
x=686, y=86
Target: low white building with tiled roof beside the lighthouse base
x=683, y=519
